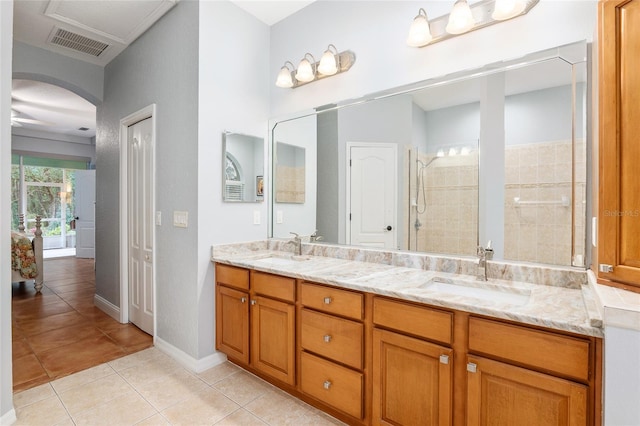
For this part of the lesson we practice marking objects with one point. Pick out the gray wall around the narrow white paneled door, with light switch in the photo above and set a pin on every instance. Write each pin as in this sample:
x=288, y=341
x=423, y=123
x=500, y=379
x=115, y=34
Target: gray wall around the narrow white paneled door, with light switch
x=160, y=67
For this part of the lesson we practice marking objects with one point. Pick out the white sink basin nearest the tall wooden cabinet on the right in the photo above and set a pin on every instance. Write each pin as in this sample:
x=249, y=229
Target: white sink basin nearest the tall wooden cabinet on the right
x=480, y=290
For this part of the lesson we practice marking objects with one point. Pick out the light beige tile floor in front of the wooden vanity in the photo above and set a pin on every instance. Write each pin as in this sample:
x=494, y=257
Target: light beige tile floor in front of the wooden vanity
x=150, y=388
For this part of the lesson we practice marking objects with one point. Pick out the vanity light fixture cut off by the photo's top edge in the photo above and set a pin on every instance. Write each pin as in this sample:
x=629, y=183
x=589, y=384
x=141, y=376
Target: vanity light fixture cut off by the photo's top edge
x=464, y=18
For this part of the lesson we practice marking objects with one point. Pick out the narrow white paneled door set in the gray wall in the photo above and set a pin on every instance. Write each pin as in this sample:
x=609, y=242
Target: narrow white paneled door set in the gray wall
x=140, y=158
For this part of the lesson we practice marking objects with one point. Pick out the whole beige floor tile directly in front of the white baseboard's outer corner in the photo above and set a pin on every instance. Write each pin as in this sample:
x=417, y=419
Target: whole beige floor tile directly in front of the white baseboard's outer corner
x=168, y=390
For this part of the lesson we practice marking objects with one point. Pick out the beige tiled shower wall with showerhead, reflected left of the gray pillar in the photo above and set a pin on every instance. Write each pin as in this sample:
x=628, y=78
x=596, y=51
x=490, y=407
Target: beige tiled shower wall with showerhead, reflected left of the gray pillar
x=449, y=222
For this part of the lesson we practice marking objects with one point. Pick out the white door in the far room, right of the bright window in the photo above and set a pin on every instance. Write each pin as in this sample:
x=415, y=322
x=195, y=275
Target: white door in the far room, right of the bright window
x=84, y=197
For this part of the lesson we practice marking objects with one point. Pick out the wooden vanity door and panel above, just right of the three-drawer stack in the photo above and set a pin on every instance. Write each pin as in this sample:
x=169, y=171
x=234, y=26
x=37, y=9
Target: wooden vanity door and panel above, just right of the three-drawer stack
x=412, y=375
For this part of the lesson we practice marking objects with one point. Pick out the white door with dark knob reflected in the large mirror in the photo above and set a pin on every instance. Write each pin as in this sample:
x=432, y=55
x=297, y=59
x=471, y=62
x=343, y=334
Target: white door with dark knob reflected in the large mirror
x=372, y=195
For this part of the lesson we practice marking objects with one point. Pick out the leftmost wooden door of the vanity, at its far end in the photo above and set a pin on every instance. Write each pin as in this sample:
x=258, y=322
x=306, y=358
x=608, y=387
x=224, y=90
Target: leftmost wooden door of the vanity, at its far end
x=232, y=323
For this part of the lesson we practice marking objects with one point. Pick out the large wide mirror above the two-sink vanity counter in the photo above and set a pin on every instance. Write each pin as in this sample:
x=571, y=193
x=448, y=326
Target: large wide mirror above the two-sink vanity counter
x=498, y=153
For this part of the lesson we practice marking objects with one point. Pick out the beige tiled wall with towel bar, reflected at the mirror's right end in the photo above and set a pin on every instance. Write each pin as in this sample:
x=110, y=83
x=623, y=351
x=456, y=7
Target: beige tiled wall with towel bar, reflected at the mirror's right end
x=541, y=174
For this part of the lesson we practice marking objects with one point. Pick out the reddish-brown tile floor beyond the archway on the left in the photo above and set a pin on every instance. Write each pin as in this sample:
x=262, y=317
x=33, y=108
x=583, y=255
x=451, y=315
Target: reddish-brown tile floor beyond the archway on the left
x=60, y=331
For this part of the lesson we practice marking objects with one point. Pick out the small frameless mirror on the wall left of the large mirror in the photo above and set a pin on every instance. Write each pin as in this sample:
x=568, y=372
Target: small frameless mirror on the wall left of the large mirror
x=242, y=168
